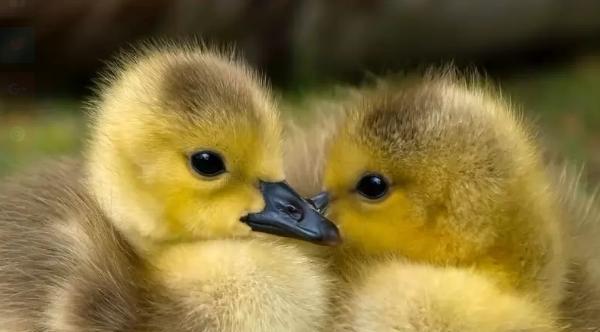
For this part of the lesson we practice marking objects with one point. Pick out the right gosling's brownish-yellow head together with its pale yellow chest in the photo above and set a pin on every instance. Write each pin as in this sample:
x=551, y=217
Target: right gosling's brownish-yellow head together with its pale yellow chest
x=440, y=173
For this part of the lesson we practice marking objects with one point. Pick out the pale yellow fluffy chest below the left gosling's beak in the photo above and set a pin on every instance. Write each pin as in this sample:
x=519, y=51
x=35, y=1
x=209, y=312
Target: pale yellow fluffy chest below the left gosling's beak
x=246, y=285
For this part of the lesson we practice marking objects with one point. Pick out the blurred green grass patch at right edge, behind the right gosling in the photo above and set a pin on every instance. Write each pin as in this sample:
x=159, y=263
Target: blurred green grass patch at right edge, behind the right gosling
x=565, y=103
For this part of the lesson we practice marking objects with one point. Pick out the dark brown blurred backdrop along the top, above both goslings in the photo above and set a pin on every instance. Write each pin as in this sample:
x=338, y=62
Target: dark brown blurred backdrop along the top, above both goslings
x=63, y=43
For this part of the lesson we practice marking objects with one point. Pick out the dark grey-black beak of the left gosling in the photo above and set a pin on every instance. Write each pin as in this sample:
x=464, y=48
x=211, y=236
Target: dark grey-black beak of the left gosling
x=287, y=214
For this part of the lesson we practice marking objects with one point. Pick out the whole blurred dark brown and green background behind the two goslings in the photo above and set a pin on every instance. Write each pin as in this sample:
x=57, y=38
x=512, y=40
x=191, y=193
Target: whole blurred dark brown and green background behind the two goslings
x=544, y=54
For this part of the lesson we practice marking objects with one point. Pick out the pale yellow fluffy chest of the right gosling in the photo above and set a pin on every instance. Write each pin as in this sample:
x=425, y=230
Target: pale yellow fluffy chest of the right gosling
x=395, y=295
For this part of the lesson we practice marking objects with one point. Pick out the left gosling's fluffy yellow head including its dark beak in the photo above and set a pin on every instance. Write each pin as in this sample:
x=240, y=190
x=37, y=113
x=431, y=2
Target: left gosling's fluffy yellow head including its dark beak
x=185, y=146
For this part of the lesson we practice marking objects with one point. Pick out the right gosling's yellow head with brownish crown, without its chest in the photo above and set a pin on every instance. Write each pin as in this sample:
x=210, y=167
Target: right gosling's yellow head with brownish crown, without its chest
x=440, y=172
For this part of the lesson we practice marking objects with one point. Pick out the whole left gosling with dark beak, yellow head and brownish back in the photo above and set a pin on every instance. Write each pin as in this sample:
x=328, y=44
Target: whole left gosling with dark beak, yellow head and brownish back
x=147, y=235
